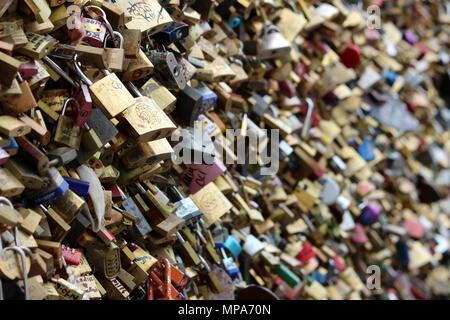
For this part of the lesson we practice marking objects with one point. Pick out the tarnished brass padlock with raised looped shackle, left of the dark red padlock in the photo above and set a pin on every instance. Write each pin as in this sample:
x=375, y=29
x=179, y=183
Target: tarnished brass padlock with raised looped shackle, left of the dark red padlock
x=66, y=132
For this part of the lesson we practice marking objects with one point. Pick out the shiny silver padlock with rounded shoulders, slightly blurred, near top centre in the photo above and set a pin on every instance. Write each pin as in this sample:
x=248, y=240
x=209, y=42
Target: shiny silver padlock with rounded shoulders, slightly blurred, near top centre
x=274, y=45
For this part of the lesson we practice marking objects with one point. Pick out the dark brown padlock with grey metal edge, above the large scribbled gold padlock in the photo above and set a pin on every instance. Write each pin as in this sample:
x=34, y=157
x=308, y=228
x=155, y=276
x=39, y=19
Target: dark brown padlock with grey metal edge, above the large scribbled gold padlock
x=166, y=64
